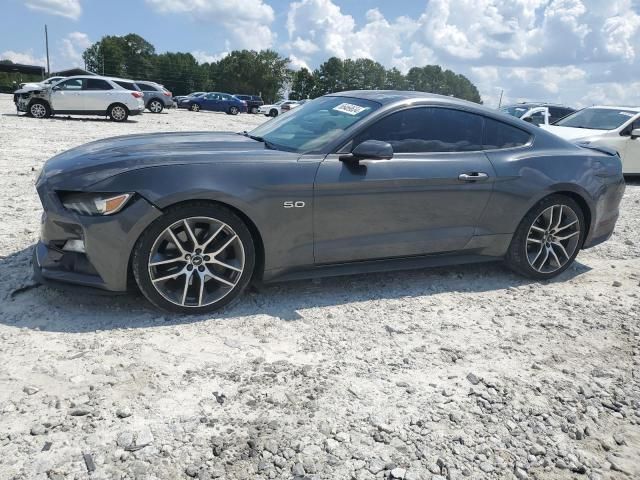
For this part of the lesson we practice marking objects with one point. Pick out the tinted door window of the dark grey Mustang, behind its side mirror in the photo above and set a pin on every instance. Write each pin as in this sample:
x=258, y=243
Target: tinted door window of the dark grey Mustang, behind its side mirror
x=427, y=129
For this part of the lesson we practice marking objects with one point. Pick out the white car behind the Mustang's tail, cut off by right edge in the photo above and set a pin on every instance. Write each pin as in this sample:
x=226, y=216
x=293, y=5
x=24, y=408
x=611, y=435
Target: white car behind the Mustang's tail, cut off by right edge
x=613, y=127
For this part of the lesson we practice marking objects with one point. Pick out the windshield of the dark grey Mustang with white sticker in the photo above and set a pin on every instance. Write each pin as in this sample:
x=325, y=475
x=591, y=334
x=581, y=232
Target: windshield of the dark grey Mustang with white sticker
x=313, y=124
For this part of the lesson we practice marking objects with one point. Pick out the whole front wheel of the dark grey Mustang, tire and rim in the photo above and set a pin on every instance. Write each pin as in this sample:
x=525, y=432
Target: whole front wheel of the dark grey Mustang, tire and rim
x=225, y=274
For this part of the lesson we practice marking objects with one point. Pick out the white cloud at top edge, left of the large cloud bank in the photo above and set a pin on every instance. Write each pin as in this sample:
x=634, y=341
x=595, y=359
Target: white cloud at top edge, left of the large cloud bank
x=247, y=22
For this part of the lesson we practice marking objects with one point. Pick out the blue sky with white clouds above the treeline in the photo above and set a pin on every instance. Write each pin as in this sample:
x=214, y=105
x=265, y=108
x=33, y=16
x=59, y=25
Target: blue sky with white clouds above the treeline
x=576, y=52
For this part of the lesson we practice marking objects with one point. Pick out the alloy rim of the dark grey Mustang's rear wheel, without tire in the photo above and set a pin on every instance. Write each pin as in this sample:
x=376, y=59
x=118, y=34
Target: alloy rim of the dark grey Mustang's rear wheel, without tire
x=553, y=239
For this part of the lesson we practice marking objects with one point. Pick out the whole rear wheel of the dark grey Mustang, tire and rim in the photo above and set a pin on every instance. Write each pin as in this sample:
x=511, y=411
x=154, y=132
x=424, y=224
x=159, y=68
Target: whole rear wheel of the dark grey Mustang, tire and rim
x=548, y=238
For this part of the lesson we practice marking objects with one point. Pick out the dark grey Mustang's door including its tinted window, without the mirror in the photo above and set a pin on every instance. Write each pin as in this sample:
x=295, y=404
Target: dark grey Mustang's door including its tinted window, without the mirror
x=428, y=198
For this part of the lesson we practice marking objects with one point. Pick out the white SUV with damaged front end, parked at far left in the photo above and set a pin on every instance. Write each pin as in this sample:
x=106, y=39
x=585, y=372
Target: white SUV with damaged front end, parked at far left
x=83, y=95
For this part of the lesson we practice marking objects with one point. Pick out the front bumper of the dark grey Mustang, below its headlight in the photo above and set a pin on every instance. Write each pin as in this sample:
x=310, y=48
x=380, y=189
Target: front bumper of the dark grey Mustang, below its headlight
x=108, y=241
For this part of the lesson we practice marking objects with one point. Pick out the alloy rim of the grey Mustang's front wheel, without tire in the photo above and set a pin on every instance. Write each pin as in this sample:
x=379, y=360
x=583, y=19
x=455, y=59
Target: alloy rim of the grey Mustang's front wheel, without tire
x=196, y=262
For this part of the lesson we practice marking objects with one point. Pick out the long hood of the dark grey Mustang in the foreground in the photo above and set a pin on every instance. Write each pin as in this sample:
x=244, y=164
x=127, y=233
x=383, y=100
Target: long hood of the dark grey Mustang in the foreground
x=96, y=161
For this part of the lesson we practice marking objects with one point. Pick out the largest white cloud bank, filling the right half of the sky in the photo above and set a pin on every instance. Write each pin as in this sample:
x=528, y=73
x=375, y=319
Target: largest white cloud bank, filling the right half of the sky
x=571, y=51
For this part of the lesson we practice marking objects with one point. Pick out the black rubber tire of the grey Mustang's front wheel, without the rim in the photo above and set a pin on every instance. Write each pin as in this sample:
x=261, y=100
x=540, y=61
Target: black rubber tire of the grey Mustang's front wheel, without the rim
x=173, y=215
